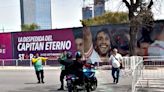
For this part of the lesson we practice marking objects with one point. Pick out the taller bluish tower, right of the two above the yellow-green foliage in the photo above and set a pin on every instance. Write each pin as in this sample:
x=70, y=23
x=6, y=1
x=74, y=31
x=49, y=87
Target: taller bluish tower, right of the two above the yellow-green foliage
x=99, y=7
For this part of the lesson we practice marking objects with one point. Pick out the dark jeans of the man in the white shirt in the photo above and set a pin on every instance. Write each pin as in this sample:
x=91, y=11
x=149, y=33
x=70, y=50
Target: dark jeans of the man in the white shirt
x=115, y=74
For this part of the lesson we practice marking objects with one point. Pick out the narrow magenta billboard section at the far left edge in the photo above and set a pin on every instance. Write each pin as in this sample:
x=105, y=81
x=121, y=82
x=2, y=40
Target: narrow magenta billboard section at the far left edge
x=5, y=46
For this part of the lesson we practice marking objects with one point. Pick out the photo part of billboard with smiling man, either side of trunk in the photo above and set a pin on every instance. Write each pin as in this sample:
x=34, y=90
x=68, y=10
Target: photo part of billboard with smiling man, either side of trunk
x=98, y=41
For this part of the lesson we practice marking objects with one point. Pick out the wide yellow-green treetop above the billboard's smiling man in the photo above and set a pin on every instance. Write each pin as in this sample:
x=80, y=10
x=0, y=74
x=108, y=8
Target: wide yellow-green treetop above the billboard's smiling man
x=109, y=17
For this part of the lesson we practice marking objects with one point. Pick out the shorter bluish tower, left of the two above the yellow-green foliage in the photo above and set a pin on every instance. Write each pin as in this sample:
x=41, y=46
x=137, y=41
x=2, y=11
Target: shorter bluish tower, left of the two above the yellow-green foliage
x=87, y=12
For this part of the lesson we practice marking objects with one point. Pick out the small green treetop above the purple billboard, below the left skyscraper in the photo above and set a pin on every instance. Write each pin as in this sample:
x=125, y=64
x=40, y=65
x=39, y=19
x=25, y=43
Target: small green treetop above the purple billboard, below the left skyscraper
x=29, y=27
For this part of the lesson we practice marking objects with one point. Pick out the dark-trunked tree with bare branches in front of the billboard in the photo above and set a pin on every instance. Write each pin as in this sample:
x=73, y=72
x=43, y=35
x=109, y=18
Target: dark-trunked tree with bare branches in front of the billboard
x=139, y=14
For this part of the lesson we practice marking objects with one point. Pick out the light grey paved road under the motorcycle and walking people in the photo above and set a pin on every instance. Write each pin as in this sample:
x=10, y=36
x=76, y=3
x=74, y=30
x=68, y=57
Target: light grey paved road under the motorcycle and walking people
x=18, y=80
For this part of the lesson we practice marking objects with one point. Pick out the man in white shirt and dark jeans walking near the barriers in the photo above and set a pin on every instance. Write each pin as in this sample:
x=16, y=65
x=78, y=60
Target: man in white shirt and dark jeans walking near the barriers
x=116, y=60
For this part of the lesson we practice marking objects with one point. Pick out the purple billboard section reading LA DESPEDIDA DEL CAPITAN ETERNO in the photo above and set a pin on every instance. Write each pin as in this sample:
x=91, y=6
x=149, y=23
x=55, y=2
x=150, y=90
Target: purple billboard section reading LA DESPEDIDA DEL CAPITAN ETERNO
x=48, y=43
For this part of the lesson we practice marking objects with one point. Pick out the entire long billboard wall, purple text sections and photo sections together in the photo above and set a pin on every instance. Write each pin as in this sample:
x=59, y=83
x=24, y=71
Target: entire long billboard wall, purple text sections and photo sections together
x=94, y=42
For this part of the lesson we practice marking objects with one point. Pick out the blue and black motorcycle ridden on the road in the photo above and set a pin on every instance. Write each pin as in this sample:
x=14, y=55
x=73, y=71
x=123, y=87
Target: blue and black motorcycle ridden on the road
x=89, y=84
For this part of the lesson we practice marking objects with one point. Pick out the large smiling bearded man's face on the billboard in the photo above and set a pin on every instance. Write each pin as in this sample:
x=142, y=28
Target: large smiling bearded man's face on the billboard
x=102, y=43
